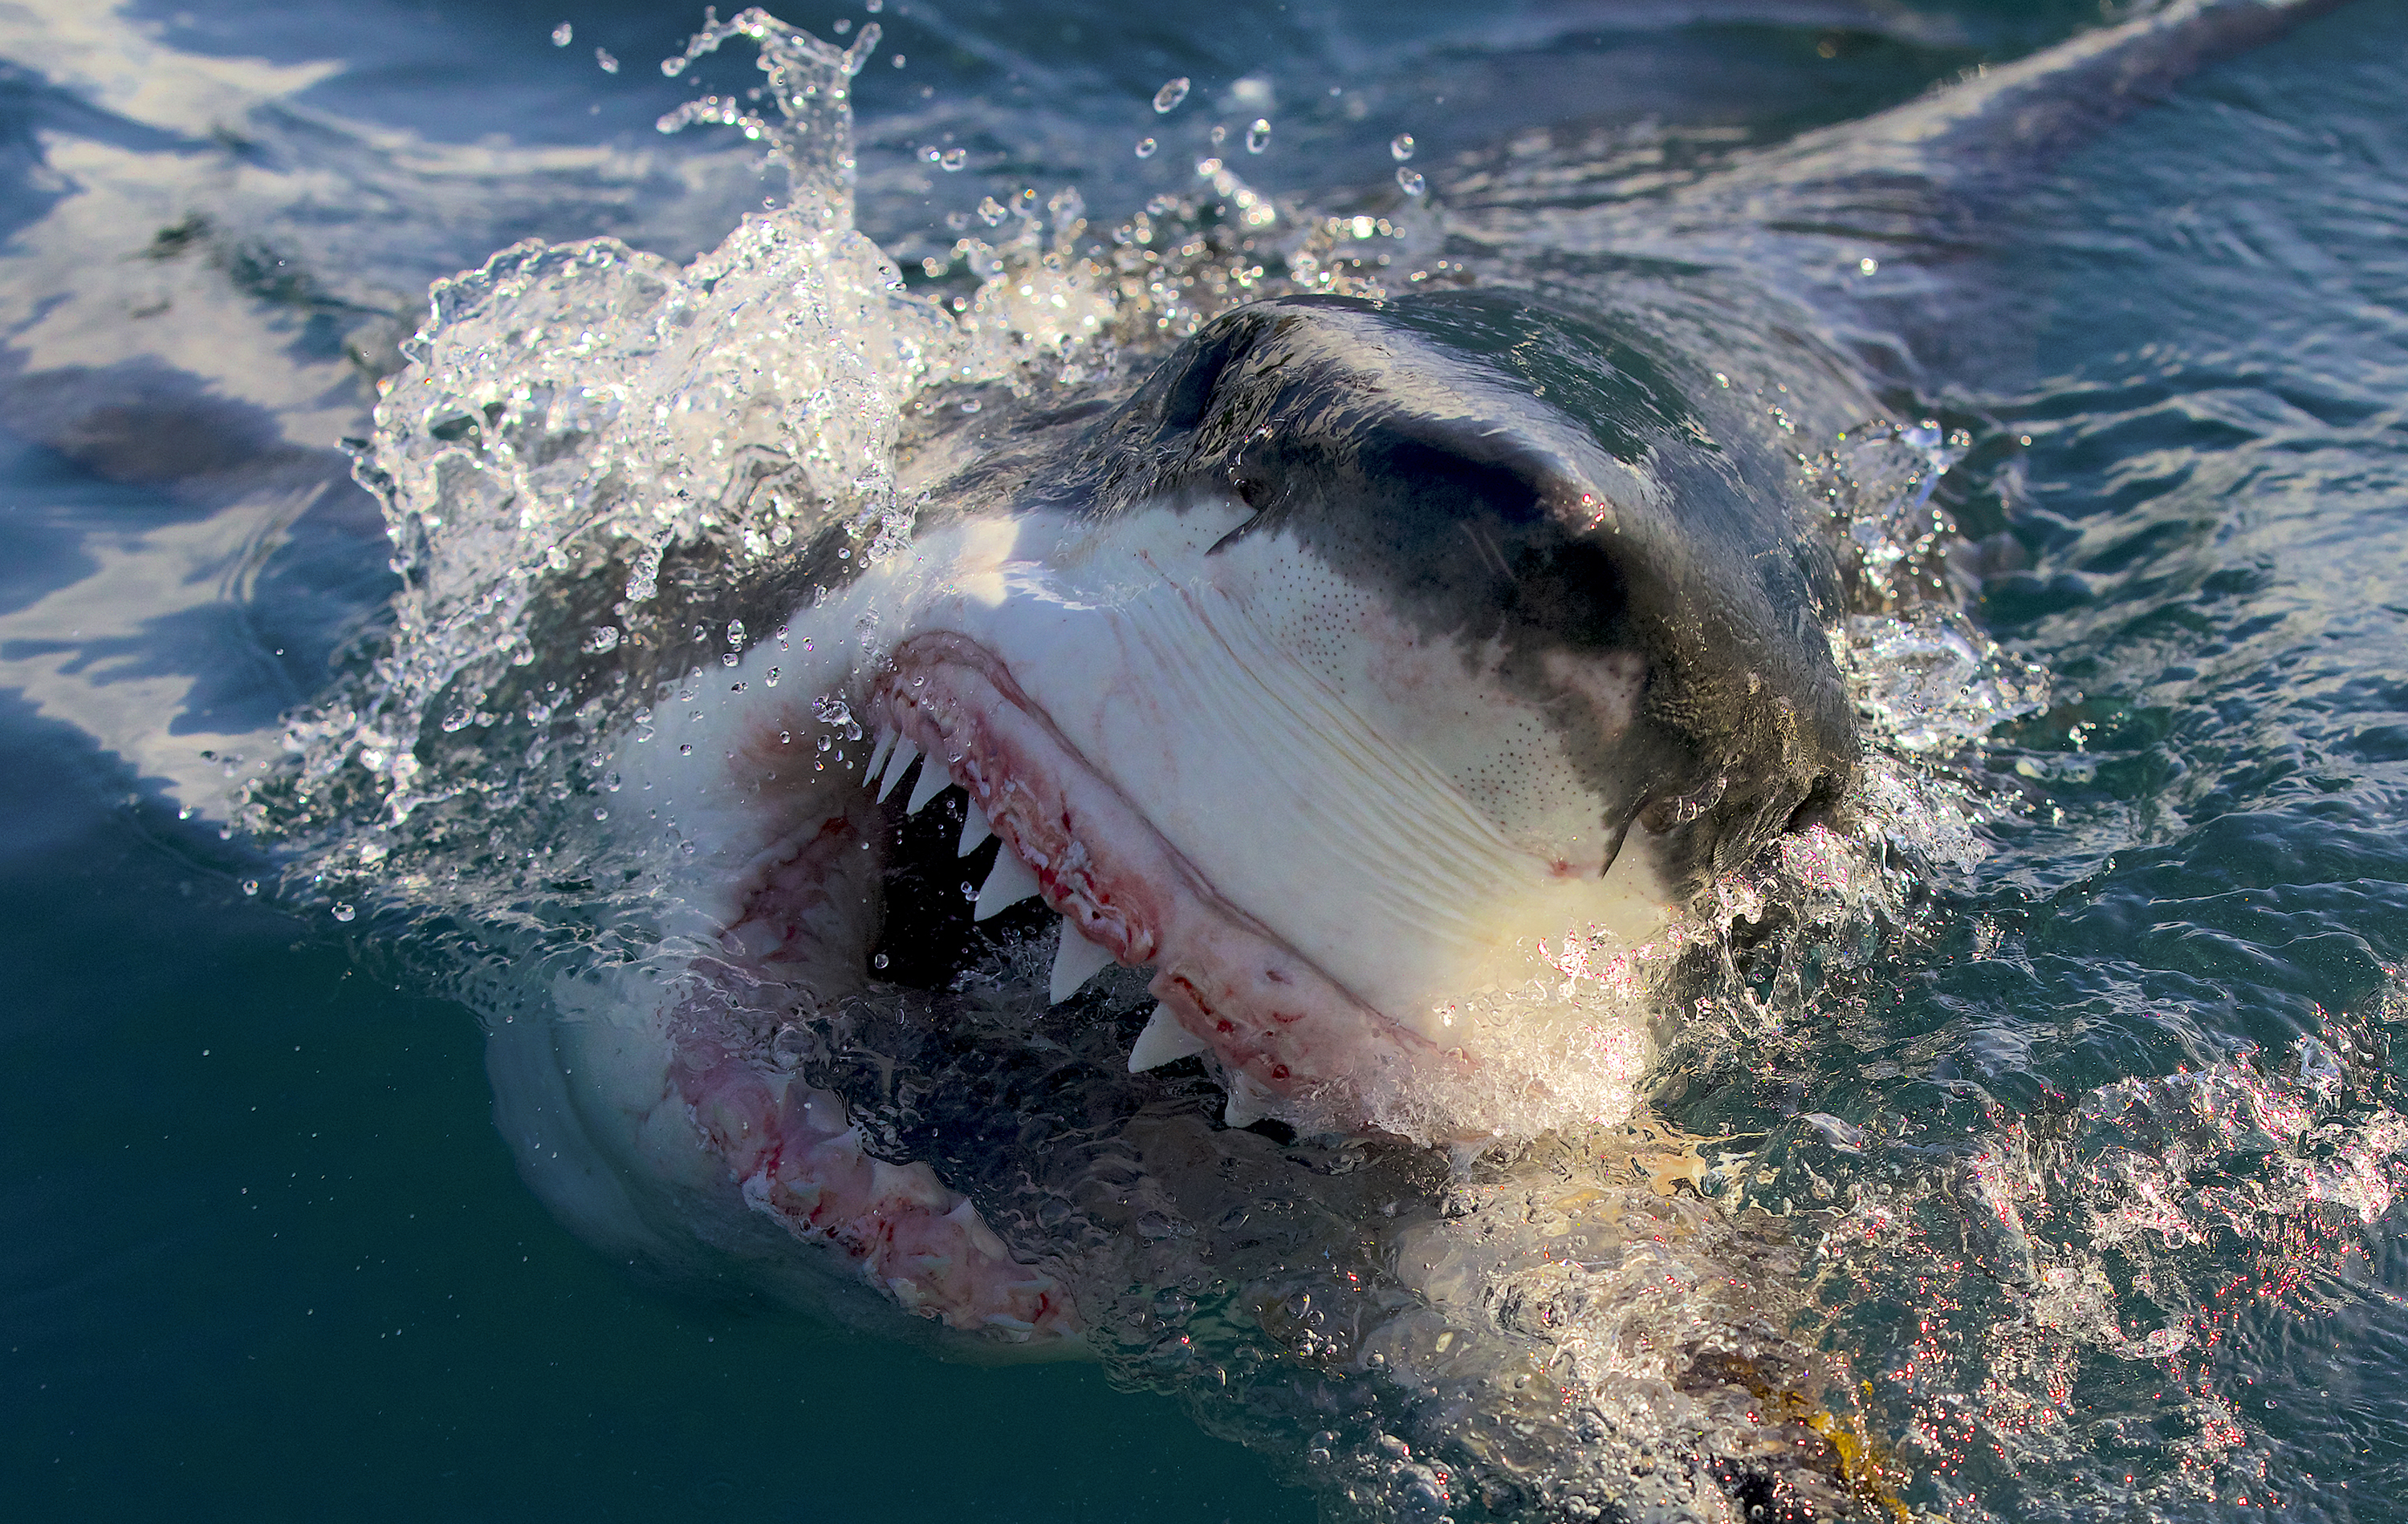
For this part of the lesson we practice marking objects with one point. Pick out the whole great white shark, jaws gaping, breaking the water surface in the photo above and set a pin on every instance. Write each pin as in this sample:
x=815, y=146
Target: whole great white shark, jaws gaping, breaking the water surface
x=1145, y=911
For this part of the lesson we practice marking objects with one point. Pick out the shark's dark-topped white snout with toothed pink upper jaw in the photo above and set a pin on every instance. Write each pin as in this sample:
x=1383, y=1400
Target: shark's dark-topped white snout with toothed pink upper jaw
x=1347, y=668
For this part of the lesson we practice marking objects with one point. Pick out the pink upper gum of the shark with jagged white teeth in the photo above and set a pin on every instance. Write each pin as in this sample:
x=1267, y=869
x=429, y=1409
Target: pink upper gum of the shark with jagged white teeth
x=1224, y=981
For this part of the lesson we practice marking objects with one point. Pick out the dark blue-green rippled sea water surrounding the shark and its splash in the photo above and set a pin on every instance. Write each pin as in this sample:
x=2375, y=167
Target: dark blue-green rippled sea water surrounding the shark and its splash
x=2099, y=1135
